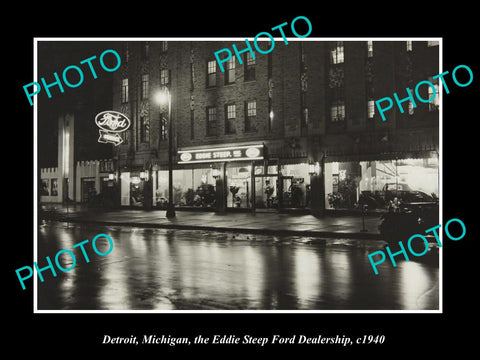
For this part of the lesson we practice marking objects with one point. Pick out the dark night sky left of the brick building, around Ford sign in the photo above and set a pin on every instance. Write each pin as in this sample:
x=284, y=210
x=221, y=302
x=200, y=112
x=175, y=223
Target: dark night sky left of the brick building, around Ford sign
x=85, y=101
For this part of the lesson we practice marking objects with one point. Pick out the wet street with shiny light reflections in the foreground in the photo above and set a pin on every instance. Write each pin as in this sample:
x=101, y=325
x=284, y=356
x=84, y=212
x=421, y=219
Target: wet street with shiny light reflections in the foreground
x=161, y=269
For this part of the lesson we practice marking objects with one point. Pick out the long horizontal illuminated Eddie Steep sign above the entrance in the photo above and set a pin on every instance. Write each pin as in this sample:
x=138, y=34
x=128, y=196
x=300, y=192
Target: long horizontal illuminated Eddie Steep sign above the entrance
x=237, y=153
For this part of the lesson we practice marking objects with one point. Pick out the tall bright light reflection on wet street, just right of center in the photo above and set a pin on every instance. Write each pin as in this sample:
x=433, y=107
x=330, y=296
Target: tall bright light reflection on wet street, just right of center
x=307, y=275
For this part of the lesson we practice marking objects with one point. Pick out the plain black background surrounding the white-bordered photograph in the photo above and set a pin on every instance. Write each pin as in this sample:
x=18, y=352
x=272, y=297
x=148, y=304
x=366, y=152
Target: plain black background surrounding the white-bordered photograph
x=413, y=335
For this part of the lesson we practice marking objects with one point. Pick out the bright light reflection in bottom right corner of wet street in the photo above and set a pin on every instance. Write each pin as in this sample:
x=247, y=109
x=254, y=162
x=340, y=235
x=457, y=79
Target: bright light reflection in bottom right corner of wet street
x=415, y=284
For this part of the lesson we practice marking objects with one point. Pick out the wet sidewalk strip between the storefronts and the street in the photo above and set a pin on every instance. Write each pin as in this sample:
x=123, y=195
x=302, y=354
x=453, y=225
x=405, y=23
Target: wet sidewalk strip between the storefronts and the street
x=273, y=223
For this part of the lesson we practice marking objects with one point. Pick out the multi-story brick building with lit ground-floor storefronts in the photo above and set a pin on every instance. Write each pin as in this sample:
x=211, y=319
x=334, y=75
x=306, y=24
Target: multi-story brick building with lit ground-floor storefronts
x=295, y=128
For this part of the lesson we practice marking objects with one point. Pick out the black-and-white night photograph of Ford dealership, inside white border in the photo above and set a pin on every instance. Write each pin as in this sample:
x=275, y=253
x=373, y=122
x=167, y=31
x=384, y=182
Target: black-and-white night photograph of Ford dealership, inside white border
x=257, y=182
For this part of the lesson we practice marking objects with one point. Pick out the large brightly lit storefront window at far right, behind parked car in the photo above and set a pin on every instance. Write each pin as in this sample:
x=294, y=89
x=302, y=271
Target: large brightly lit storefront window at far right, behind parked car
x=348, y=185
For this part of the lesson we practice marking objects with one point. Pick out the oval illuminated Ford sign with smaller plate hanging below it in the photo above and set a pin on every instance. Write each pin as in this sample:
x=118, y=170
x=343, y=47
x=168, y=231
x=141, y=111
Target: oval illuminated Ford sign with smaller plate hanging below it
x=111, y=123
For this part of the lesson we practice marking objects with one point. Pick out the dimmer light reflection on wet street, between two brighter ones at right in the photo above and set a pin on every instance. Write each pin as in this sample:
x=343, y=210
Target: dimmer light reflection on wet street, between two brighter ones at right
x=341, y=275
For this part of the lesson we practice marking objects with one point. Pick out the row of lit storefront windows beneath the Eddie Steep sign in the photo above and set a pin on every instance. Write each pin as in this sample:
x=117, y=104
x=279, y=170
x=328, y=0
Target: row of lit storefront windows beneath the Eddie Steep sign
x=270, y=186
